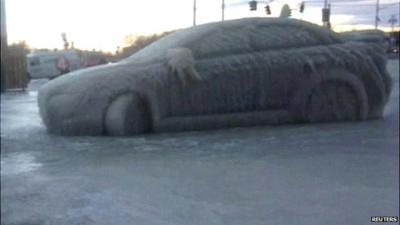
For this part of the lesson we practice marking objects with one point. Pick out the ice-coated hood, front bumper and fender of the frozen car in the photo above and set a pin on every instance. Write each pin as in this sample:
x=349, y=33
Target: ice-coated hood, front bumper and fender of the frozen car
x=76, y=102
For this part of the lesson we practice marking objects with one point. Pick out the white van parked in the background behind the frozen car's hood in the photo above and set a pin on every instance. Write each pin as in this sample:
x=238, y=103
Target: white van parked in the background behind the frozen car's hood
x=52, y=64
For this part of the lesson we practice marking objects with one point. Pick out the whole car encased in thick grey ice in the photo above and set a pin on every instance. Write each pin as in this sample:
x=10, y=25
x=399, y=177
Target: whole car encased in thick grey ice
x=246, y=72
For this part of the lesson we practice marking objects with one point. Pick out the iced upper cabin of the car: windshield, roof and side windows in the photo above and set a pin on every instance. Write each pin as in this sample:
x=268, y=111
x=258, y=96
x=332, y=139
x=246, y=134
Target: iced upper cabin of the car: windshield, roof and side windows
x=248, y=34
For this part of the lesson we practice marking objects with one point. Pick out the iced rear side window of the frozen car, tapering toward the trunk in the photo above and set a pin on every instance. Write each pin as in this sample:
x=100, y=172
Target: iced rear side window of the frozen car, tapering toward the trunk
x=274, y=36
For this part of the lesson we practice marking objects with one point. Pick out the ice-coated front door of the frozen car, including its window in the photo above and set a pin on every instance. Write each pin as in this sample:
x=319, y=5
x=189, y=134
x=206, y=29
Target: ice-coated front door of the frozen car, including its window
x=225, y=62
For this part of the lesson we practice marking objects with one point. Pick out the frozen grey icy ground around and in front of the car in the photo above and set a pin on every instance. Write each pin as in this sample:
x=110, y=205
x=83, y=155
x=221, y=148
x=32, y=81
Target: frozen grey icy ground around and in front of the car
x=325, y=174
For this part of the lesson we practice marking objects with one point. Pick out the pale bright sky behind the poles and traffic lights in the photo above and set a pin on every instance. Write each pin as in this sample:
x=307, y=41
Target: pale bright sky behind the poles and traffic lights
x=103, y=24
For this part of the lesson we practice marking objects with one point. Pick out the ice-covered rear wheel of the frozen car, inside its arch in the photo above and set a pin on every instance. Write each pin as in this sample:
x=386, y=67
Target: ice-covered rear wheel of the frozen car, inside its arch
x=333, y=101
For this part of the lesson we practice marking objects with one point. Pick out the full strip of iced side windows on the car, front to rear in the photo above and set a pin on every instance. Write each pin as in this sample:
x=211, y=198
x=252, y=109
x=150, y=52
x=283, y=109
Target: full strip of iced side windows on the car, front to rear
x=261, y=36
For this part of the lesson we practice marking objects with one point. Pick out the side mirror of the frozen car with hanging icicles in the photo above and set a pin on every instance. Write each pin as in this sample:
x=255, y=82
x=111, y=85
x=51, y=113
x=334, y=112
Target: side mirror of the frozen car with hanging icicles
x=180, y=62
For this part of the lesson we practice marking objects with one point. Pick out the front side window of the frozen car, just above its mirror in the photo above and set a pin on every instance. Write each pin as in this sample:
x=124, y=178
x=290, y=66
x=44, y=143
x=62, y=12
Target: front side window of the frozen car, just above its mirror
x=224, y=41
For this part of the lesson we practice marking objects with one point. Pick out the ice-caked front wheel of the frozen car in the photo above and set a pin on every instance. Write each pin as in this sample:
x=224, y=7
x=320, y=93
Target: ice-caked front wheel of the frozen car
x=127, y=115
